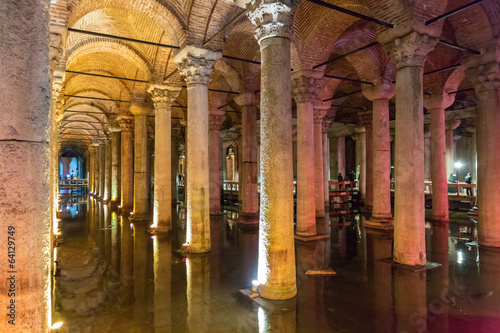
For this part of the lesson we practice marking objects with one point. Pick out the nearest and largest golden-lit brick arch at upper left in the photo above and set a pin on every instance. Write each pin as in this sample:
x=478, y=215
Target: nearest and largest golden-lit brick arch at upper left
x=165, y=15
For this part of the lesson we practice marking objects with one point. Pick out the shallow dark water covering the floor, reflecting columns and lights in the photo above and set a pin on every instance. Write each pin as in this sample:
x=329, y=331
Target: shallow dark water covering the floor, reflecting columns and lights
x=116, y=277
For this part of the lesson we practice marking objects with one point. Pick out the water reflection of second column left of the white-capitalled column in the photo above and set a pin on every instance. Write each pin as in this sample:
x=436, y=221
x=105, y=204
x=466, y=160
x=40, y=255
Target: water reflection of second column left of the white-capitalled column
x=142, y=259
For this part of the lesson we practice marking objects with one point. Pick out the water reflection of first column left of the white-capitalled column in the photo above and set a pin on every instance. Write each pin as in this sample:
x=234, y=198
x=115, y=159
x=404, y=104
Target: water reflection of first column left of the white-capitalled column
x=162, y=254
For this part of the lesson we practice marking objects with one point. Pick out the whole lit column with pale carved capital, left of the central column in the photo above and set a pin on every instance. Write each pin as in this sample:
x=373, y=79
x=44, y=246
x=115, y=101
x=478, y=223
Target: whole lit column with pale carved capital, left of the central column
x=197, y=65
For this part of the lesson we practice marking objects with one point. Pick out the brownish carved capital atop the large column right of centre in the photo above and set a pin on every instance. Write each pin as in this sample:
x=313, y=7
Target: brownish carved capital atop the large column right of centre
x=411, y=50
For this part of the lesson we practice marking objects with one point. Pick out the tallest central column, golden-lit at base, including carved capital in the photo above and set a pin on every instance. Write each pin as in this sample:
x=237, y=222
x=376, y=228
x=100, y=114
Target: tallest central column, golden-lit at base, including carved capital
x=276, y=268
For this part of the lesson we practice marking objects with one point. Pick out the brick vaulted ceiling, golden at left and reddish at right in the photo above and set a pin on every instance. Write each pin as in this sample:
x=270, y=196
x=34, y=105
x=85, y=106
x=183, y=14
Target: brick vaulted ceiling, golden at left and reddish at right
x=320, y=34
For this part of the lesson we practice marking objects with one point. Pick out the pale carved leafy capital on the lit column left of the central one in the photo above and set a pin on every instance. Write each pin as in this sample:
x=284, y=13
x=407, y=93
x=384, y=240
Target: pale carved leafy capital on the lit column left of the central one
x=196, y=64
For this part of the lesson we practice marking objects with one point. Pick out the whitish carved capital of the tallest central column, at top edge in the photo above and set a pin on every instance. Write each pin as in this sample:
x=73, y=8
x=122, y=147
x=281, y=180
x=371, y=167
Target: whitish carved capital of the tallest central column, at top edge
x=272, y=18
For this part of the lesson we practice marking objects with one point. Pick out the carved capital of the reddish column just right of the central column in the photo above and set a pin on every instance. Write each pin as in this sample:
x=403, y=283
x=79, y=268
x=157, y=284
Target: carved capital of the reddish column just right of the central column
x=305, y=84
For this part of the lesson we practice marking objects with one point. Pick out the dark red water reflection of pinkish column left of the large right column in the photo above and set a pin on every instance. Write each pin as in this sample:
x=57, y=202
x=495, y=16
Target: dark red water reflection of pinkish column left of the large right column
x=380, y=247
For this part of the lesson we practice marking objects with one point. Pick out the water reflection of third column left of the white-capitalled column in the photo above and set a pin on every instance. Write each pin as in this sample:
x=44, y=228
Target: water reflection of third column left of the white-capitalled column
x=126, y=261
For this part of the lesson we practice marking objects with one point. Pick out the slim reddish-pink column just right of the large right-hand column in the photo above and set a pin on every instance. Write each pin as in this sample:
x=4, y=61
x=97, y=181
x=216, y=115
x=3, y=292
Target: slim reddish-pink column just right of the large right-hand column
x=436, y=104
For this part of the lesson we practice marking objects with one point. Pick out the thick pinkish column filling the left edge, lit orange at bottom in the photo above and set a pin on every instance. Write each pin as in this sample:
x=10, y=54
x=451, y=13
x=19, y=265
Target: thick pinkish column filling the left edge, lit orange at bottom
x=24, y=165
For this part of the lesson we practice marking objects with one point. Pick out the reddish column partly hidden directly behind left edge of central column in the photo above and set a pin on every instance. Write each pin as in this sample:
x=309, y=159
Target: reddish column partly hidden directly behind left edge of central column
x=248, y=176
